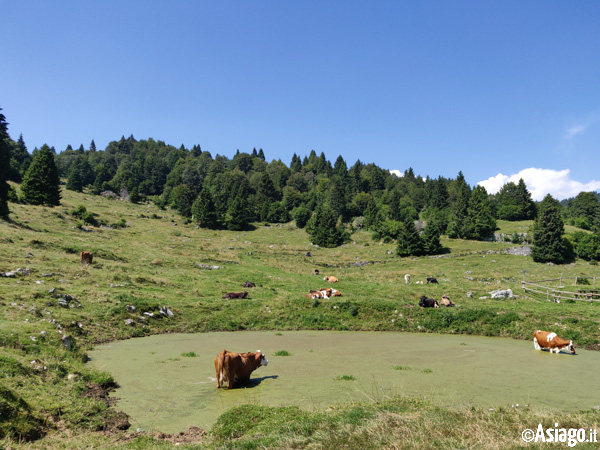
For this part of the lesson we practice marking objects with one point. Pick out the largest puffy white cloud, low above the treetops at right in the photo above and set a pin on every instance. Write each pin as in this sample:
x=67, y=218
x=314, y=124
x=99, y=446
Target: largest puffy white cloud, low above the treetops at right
x=541, y=182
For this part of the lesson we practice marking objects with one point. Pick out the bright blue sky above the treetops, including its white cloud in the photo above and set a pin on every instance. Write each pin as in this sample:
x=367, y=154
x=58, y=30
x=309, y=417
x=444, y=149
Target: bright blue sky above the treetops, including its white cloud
x=495, y=89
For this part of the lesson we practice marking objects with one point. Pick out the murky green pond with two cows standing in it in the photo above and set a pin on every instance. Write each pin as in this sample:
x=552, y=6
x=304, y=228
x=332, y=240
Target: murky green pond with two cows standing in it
x=160, y=389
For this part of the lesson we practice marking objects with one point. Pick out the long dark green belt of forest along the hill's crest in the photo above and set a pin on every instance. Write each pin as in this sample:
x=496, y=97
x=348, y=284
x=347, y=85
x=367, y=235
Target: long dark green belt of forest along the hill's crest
x=328, y=200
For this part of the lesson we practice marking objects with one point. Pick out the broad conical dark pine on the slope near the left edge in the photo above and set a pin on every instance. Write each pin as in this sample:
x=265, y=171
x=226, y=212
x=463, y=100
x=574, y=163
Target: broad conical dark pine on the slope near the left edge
x=41, y=183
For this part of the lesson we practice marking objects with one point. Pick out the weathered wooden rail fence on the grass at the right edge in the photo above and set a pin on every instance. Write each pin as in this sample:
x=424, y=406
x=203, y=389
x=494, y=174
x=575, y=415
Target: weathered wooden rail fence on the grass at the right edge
x=581, y=292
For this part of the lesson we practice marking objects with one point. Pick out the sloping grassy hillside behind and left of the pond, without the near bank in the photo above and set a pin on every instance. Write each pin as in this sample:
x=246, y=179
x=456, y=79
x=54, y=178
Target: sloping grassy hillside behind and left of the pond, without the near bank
x=151, y=258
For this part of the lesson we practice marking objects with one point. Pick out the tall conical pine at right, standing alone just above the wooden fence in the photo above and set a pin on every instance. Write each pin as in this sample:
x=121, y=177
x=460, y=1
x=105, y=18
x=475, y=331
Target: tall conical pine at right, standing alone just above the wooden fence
x=548, y=230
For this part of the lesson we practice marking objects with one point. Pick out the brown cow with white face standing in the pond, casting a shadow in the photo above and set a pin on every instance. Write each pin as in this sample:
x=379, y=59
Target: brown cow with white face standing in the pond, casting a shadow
x=231, y=367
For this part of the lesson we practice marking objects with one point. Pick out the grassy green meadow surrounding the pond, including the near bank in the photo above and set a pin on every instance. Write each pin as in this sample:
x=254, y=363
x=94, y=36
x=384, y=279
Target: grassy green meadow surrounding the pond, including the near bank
x=50, y=398
